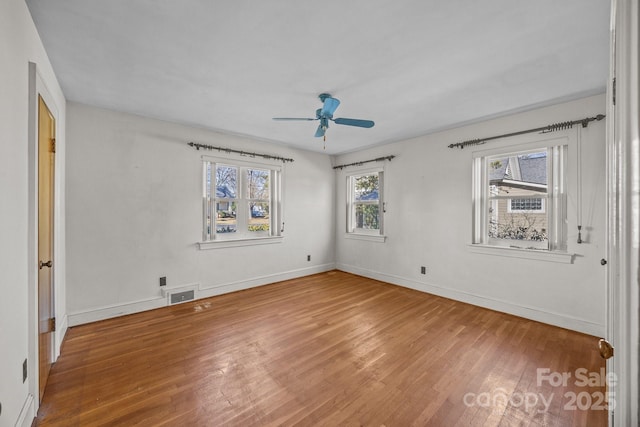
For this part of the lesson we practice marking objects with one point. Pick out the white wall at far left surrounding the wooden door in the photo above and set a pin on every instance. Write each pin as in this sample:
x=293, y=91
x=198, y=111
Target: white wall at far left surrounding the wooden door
x=19, y=45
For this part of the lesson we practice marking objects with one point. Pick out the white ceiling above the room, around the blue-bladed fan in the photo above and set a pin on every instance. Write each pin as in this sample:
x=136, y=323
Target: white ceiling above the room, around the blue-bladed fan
x=412, y=66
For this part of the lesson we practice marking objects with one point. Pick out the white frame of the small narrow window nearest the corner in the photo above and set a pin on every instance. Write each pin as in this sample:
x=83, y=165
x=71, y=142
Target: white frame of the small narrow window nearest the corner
x=352, y=231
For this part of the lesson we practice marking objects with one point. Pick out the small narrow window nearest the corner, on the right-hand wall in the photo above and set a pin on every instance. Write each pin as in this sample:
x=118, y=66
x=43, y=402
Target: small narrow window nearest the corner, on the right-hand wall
x=365, y=205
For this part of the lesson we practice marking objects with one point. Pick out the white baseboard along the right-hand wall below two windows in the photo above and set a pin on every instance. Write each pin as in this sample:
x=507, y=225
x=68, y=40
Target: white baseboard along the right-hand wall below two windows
x=532, y=313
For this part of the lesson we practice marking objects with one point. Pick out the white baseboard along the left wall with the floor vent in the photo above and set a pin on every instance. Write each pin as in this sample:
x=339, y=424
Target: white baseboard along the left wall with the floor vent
x=116, y=310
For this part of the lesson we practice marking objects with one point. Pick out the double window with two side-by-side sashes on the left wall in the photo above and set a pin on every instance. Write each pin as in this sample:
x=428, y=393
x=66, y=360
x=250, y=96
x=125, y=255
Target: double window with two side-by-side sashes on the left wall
x=241, y=200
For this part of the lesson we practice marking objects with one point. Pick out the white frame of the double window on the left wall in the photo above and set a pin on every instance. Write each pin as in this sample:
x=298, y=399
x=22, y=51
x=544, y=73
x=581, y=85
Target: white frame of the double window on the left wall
x=242, y=236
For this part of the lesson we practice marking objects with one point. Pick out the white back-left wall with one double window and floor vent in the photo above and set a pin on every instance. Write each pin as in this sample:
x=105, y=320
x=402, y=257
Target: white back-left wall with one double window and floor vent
x=134, y=212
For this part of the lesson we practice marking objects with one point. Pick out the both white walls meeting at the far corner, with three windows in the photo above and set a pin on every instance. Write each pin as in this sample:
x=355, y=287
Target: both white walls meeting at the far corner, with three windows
x=134, y=214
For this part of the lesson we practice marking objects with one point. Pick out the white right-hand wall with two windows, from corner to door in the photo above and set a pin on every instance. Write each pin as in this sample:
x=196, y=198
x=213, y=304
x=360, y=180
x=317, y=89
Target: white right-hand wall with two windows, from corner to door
x=429, y=217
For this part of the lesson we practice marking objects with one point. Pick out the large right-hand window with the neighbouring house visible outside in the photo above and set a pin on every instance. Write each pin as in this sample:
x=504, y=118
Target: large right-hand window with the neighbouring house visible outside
x=520, y=196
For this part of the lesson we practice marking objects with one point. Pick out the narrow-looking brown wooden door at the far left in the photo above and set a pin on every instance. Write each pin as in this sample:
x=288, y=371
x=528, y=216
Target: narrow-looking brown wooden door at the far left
x=46, y=173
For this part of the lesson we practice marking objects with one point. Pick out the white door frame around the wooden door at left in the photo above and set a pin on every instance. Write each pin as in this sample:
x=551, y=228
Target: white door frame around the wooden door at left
x=37, y=87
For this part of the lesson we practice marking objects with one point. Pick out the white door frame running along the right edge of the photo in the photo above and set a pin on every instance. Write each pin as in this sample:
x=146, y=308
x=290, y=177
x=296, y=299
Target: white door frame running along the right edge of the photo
x=623, y=224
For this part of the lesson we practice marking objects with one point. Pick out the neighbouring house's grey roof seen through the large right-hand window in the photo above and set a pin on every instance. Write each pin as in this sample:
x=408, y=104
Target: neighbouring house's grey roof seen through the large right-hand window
x=520, y=171
